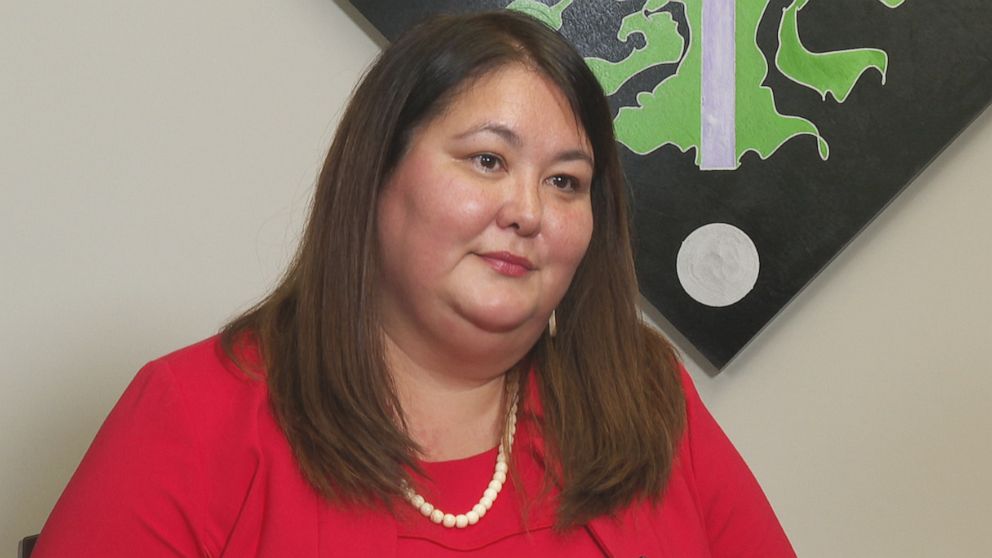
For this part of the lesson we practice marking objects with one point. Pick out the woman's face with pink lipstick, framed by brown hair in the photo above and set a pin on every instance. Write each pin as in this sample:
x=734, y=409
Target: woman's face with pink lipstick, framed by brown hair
x=486, y=217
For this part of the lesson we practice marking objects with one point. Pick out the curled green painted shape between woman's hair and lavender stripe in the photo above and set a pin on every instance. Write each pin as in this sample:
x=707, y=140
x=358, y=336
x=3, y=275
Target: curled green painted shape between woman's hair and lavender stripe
x=663, y=45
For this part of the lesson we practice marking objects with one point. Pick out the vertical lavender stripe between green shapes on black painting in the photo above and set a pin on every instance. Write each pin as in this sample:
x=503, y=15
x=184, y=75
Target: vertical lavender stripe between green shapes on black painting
x=719, y=87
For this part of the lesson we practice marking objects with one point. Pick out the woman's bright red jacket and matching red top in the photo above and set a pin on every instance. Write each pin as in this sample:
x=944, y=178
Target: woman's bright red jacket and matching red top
x=192, y=463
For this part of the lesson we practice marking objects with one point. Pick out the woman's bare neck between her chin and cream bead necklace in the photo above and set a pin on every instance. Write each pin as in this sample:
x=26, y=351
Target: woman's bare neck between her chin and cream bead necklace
x=450, y=413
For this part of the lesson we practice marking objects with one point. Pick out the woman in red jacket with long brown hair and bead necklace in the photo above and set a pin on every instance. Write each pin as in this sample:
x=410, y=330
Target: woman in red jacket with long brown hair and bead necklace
x=453, y=363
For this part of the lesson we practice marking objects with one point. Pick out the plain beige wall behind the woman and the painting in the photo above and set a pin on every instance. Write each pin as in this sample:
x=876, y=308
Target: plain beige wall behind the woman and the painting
x=155, y=163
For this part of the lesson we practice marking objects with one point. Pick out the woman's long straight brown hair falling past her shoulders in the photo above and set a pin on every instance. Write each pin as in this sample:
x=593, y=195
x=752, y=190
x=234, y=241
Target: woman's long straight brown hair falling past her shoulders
x=613, y=405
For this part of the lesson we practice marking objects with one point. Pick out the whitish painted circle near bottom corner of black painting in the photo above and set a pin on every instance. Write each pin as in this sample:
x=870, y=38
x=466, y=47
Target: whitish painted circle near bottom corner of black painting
x=717, y=264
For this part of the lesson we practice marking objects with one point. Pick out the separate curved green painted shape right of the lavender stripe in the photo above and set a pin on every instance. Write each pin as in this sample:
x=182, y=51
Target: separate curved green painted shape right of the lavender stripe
x=834, y=73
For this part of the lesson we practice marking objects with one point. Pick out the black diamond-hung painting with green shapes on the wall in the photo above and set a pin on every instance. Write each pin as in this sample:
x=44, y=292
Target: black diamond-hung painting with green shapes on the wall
x=759, y=137
